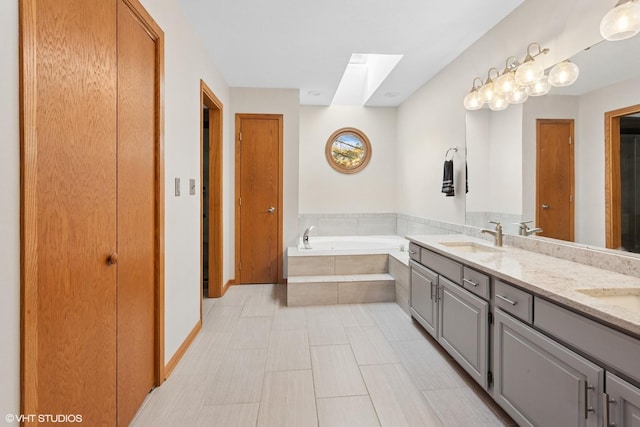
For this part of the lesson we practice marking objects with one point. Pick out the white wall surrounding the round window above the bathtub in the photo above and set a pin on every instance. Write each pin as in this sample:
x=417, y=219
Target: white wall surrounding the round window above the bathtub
x=323, y=189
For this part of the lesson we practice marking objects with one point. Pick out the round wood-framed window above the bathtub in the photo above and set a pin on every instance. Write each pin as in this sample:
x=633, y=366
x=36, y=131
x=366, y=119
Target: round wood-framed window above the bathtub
x=348, y=150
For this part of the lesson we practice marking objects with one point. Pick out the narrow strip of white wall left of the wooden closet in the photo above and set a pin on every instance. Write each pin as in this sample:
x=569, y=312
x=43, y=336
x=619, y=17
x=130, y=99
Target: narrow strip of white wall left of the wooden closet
x=9, y=212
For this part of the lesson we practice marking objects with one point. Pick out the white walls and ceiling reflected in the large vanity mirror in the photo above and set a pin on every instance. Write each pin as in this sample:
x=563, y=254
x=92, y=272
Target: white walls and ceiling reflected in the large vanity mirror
x=502, y=147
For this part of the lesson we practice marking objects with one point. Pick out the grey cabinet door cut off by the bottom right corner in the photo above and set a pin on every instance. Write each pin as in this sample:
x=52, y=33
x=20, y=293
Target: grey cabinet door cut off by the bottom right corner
x=624, y=406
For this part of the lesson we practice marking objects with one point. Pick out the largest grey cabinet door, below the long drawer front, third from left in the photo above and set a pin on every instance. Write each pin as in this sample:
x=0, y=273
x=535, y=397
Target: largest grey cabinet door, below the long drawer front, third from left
x=539, y=382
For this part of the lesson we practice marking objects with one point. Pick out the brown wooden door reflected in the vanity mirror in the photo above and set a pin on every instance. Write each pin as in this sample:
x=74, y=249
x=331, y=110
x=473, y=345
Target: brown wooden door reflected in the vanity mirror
x=555, y=178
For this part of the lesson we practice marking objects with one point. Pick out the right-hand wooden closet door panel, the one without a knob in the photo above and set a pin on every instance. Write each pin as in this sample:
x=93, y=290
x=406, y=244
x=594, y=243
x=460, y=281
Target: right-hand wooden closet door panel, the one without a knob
x=136, y=213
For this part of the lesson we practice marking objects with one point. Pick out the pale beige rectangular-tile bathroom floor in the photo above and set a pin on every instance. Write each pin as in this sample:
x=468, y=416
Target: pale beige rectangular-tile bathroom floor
x=257, y=362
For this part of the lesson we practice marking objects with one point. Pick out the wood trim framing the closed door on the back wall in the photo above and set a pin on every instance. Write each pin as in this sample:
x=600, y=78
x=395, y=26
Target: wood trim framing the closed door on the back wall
x=280, y=118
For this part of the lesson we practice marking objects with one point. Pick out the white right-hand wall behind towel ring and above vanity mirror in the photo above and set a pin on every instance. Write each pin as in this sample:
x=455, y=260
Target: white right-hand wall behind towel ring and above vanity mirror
x=433, y=118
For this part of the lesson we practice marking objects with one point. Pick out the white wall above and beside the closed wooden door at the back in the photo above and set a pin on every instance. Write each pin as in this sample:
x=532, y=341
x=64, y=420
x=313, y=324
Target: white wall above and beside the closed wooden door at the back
x=287, y=103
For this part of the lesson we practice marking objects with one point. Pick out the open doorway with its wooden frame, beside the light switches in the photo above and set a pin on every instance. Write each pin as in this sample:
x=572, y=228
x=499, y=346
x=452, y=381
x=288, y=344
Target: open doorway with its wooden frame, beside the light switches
x=211, y=193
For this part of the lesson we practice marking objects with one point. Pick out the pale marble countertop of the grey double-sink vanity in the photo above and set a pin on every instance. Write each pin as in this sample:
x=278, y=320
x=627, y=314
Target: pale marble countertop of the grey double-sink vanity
x=553, y=278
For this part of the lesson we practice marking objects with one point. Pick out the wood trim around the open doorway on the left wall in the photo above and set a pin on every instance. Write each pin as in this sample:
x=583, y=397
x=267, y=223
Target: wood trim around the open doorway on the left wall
x=216, y=114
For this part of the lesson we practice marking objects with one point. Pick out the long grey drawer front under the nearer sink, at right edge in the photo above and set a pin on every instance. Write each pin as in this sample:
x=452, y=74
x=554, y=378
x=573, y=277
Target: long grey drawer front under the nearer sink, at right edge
x=615, y=349
